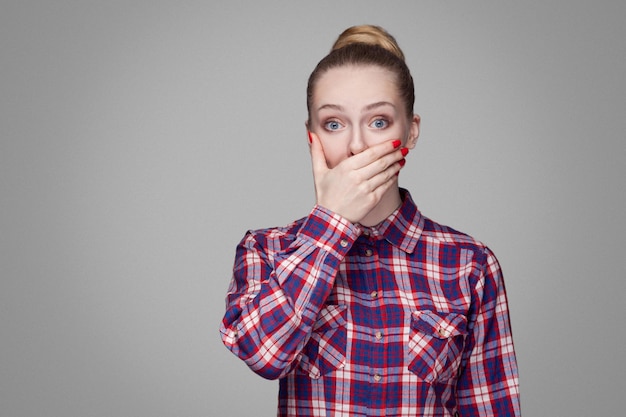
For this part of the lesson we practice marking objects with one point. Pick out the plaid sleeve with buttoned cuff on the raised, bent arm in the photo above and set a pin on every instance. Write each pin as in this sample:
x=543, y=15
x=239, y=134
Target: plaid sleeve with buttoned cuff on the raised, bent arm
x=276, y=293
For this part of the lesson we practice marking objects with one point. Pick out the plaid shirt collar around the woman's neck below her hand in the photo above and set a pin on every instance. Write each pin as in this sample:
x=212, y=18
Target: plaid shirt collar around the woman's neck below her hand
x=402, y=228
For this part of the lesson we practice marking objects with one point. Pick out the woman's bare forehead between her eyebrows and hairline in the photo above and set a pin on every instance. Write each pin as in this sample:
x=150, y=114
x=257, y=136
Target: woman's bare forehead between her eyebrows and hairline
x=355, y=85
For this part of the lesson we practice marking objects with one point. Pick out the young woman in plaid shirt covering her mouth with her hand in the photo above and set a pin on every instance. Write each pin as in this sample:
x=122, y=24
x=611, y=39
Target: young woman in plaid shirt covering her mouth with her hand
x=366, y=307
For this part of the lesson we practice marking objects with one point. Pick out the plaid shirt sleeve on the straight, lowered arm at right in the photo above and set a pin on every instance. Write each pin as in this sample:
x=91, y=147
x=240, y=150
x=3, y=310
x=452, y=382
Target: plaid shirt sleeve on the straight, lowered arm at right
x=488, y=384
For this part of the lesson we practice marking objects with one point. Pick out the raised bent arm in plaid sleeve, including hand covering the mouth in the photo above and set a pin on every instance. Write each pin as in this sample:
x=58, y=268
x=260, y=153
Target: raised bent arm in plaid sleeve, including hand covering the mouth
x=277, y=292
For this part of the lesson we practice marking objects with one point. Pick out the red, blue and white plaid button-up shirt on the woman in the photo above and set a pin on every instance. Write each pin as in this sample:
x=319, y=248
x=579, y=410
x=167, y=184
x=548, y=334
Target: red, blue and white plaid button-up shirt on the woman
x=408, y=318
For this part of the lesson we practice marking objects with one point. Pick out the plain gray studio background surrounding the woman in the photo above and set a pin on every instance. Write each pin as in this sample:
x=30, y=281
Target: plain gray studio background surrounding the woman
x=141, y=139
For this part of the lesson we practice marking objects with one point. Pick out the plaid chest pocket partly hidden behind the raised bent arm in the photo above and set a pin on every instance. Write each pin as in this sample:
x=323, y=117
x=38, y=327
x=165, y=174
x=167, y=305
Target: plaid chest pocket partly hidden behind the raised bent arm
x=326, y=349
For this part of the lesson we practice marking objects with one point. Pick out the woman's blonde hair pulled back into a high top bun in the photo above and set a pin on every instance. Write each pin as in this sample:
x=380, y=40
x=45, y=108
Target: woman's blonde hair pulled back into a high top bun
x=367, y=45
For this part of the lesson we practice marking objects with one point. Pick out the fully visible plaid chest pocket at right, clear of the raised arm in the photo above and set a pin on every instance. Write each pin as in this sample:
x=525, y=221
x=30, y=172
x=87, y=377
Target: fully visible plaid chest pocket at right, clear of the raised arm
x=436, y=343
